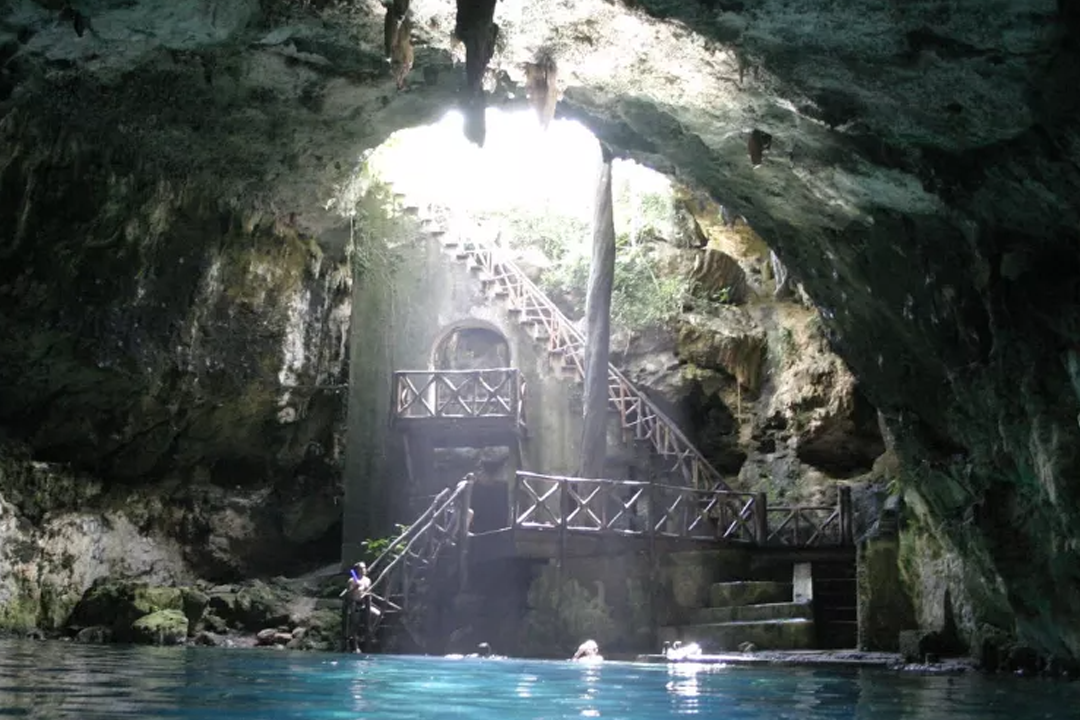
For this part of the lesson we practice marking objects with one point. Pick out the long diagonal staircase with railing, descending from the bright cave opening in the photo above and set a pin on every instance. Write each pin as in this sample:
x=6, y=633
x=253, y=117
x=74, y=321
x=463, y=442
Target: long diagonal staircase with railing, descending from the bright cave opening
x=640, y=419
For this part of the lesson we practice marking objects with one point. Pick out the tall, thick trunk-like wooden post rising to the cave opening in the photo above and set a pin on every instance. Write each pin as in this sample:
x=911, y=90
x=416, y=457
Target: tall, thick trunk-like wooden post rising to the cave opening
x=599, y=328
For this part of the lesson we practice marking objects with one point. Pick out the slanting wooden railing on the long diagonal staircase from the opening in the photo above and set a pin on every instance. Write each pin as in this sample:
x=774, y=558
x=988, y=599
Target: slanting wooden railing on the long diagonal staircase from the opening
x=641, y=419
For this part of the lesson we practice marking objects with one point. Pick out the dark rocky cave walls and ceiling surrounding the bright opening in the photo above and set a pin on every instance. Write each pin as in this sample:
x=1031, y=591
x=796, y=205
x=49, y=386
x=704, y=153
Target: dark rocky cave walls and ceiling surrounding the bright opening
x=178, y=188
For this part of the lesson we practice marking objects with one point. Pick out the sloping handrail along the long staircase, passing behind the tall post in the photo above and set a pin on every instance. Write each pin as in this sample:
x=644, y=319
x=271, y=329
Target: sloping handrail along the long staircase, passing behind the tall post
x=623, y=387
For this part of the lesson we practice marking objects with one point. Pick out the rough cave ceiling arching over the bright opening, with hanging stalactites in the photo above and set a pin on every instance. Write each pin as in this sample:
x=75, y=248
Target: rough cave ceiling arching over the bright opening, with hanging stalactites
x=915, y=148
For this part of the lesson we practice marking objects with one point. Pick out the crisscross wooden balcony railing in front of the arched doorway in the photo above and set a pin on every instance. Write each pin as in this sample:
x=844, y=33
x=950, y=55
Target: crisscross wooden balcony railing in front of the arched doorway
x=454, y=395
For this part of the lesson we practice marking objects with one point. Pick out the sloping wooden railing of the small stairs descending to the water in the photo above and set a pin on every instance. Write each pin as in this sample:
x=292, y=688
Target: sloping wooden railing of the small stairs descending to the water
x=403, y=573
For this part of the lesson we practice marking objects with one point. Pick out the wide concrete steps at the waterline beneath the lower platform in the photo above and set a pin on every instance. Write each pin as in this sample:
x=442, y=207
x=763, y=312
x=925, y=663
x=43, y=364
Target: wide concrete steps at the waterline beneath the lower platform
x=761, y=613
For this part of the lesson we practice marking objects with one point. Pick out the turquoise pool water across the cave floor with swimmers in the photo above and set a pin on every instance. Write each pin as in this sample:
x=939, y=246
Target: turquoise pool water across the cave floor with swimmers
x=62, y=681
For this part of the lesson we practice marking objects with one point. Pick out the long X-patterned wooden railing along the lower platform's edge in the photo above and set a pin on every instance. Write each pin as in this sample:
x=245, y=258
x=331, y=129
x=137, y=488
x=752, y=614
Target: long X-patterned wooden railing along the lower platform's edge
x=628, y=508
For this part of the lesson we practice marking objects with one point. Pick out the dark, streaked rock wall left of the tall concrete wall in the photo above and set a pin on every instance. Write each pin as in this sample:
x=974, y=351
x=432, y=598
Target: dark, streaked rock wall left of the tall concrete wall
x=183, y=356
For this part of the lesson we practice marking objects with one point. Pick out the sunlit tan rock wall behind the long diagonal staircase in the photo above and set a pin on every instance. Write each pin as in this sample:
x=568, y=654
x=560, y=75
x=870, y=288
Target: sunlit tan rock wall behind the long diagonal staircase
x=753, y=379
